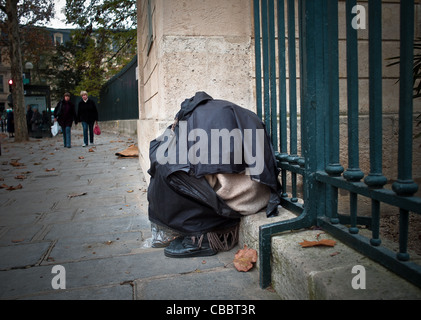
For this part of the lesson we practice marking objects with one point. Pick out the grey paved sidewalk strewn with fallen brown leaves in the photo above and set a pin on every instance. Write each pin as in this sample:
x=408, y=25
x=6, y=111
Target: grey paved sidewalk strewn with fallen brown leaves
x=85, y=209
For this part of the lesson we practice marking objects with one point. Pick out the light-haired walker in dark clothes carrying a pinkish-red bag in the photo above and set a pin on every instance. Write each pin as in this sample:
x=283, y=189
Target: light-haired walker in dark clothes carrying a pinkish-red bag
x=87, y=114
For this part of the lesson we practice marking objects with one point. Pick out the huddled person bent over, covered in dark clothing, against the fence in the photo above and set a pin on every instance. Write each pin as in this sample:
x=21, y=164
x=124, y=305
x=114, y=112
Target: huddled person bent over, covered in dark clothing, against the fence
x=214, y=165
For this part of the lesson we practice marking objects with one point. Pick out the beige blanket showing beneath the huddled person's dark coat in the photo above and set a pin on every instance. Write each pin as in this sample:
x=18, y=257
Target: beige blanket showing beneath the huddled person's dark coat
x=240, y=192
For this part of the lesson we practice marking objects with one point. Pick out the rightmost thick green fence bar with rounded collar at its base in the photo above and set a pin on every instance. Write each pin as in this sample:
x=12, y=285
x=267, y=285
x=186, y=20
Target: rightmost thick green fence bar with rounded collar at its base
x=405, y=186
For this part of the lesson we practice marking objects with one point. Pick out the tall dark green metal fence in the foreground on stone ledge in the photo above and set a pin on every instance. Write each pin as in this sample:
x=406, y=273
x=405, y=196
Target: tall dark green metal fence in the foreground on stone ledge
x=318, y=162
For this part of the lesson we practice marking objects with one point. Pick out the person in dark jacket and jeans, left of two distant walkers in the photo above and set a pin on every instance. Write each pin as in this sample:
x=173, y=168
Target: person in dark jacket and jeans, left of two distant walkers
x=65, y=114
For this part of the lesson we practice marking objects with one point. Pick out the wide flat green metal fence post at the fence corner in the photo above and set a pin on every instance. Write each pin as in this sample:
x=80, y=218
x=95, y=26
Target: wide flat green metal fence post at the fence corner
x=314, y=104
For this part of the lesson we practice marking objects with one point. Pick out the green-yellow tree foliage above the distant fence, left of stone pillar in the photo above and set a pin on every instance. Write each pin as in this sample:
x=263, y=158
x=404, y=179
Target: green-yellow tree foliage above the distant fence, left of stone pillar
x=104, y=41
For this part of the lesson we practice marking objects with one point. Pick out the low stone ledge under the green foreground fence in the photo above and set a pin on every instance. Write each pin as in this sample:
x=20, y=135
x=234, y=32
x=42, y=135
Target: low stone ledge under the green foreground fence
x=323, y=273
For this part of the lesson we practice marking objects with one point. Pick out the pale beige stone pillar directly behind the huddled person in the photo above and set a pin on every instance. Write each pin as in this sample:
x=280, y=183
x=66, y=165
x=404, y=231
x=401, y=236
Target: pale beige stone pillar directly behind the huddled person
x=197, y=46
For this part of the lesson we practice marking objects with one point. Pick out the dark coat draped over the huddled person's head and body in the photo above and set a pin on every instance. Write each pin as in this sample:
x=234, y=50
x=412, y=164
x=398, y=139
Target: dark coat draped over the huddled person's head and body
x=179, y=196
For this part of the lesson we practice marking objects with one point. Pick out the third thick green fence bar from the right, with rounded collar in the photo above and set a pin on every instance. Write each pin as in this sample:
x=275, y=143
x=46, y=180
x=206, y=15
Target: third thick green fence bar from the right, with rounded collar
x=353, y=173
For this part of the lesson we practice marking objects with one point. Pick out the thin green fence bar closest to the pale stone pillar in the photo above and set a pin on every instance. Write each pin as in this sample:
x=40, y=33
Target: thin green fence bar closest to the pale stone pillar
x=258, y=57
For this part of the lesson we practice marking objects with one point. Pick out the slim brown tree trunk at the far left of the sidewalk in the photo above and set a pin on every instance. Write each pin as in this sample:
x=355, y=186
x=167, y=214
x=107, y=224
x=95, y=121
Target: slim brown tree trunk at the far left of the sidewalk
x=21, y=130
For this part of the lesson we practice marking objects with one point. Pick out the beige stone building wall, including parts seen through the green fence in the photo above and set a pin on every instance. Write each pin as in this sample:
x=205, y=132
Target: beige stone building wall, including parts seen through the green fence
x=188, y=46
